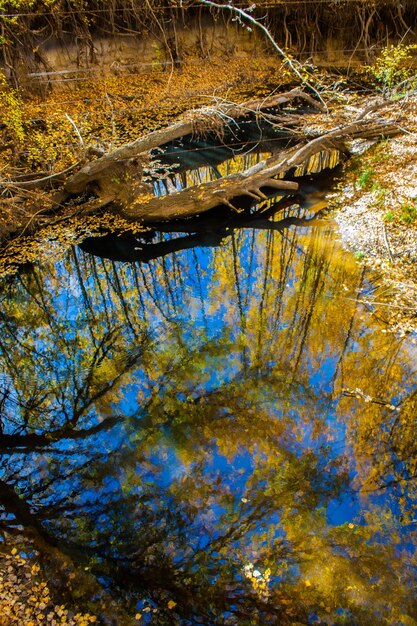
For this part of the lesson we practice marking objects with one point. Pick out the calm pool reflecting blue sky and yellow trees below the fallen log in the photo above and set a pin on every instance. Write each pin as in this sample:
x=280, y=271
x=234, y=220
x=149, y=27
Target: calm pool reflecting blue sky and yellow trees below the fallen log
x=222, y=435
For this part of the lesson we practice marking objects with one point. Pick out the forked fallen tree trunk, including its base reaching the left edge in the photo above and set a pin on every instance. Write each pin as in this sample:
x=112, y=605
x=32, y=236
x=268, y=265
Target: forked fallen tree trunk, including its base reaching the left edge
x=114, y=181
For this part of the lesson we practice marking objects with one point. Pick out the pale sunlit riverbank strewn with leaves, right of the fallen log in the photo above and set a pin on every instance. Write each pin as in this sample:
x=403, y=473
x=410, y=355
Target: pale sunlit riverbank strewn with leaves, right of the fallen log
x=376, y=211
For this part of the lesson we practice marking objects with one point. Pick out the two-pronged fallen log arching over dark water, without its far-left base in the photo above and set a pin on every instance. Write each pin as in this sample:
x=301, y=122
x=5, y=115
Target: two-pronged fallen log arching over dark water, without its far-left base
x=136, y=201
